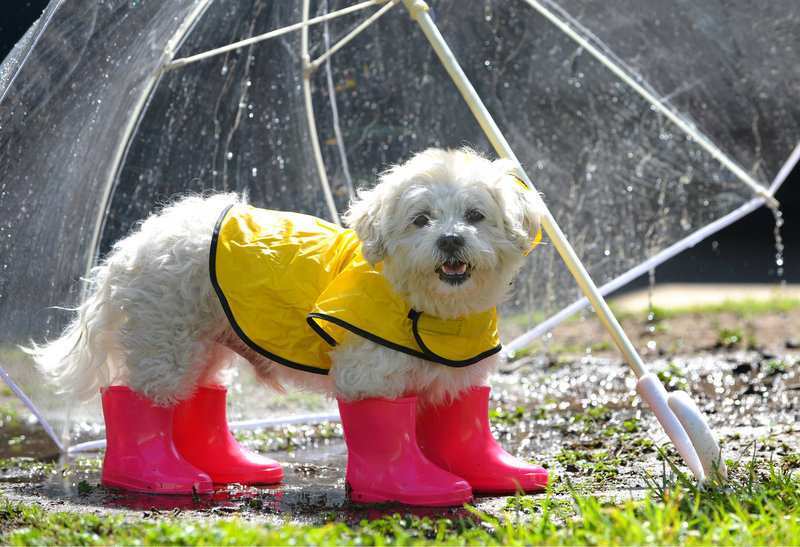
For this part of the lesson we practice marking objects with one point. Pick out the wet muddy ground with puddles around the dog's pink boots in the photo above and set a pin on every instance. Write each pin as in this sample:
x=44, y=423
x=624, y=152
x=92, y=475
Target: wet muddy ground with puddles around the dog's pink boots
x=572, y=408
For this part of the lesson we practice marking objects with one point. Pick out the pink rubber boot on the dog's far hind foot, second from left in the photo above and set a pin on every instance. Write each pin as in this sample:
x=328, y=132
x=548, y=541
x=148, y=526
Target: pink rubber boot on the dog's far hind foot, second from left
x=200, y=430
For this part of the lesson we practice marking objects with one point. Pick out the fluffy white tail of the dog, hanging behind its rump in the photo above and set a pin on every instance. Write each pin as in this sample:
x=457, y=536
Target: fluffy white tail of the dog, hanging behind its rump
x=86, y=356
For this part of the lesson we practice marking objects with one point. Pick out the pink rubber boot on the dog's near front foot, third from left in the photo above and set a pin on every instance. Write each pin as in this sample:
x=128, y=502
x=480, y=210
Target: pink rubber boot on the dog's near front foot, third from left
x=384, y=462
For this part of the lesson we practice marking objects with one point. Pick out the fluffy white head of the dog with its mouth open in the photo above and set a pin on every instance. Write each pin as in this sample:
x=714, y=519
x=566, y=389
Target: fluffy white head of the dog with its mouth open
x=450, y=226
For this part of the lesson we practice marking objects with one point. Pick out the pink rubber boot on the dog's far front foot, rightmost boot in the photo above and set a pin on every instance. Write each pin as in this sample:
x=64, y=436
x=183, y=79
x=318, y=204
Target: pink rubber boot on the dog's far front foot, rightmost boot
x=456, y=436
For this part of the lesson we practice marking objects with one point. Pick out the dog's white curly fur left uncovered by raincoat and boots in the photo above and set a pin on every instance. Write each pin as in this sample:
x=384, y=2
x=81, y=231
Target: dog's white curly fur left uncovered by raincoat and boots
x=152, y=320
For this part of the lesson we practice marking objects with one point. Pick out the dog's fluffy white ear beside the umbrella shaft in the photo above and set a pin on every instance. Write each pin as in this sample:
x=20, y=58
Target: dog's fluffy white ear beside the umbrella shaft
x=524, y=210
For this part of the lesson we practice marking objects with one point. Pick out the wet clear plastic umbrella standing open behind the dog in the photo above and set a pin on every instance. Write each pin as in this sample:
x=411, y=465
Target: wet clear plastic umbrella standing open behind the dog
x=646, y=126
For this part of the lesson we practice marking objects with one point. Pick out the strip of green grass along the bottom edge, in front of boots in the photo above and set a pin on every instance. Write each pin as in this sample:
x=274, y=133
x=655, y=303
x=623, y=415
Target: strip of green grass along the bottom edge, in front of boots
x=759, y=506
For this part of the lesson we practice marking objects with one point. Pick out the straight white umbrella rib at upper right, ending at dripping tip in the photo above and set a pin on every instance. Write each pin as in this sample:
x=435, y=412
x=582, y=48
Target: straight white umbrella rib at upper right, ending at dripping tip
x=687, y=127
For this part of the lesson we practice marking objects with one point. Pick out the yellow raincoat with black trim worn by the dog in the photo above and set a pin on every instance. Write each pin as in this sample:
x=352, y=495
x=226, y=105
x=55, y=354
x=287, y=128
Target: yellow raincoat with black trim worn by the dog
x=292, y=285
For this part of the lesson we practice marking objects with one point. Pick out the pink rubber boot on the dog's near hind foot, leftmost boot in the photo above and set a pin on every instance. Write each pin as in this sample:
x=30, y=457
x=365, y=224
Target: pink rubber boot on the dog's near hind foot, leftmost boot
x=140, y=454
